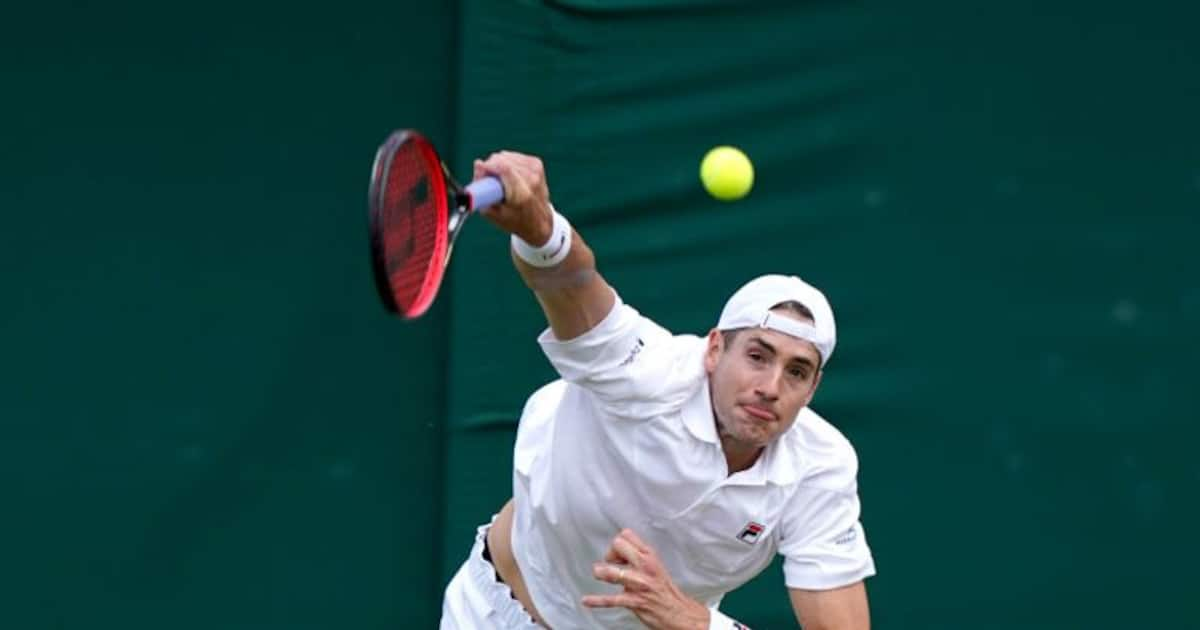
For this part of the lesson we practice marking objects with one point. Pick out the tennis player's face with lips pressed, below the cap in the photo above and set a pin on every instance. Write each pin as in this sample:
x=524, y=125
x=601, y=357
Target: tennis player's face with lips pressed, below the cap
x=760, y=382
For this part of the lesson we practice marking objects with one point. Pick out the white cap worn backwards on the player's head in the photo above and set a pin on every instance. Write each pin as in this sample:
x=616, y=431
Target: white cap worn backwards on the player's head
x=751, y=308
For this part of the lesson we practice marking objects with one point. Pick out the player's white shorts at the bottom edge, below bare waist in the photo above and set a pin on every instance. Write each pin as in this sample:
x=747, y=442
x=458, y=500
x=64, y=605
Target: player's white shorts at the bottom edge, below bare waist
x=476, y=599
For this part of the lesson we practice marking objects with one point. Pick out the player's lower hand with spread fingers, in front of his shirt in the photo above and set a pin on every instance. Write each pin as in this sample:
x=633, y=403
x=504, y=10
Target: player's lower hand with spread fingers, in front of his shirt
x=649, y=591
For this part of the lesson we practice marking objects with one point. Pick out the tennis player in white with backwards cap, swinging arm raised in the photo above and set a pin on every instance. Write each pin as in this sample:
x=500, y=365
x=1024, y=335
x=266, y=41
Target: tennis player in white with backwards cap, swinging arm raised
x=663, y=471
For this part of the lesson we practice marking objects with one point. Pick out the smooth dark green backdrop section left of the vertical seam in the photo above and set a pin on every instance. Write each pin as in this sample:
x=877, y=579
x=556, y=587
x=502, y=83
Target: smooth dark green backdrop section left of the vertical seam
x=207, y=419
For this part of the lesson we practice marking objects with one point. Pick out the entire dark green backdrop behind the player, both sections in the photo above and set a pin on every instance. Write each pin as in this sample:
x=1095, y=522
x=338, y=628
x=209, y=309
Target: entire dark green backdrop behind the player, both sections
x=209, y=423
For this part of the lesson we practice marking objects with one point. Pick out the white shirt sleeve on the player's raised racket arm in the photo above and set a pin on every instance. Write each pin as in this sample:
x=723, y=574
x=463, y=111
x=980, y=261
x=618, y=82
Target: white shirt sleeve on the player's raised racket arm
x=632, y=365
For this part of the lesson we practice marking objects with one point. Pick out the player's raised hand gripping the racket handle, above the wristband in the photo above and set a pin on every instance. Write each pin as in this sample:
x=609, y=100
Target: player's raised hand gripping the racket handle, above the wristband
x=526, y=211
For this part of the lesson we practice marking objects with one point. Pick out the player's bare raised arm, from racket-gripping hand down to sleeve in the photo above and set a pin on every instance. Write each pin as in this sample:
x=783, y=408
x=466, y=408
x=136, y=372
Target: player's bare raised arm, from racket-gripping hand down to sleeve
x=572, y=293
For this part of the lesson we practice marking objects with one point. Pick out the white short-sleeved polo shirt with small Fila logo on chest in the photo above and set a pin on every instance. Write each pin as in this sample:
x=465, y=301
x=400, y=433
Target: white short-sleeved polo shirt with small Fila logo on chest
x=627, y=439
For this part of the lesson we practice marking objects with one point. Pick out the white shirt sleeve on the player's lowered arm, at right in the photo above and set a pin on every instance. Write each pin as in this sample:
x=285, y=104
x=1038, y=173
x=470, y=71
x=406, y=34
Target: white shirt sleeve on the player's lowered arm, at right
x=823, y=542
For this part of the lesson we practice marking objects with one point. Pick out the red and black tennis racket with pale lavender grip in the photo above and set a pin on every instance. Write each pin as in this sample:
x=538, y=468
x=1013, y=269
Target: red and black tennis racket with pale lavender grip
x=417, y=212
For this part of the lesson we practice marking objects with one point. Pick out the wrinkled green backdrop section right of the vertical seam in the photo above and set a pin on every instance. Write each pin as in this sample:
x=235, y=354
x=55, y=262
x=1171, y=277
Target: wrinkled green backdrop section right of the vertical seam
x=1000, y=205
